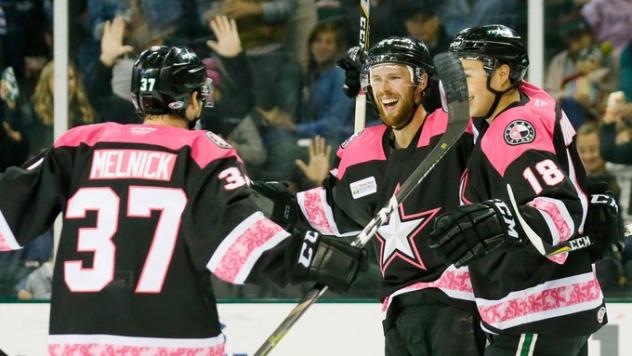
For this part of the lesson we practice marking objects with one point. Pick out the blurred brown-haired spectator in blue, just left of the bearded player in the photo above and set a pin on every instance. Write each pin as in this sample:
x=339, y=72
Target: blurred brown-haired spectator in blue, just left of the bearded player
x=329, y=112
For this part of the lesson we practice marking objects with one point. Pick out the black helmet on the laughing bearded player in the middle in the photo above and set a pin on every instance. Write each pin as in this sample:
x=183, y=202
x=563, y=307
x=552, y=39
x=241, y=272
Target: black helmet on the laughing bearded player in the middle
x=402, y=50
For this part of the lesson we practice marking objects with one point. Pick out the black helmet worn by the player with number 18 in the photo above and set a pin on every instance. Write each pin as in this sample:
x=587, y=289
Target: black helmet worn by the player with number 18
x=494, y=45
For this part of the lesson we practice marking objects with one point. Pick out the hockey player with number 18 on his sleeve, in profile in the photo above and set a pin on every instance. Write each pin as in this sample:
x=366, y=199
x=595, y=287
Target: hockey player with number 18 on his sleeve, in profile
x=523, y=186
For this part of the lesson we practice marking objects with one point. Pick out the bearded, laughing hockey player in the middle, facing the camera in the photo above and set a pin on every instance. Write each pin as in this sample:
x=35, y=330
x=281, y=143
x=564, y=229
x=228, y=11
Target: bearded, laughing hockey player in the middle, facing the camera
x=426, y=305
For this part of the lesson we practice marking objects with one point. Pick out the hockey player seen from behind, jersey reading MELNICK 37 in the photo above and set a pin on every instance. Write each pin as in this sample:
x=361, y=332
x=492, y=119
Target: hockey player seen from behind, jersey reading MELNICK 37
x=148, y=212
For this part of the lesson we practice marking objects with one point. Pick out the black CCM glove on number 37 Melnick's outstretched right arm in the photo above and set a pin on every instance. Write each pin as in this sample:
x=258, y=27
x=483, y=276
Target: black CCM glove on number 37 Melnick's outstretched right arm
x=329, y=260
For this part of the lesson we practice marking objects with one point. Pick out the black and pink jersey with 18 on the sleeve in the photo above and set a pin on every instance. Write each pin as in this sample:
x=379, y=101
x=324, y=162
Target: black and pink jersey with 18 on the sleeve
x=530, y=148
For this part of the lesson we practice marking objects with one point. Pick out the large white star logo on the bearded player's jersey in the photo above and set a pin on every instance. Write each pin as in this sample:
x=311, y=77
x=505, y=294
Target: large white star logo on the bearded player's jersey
x=397, y=238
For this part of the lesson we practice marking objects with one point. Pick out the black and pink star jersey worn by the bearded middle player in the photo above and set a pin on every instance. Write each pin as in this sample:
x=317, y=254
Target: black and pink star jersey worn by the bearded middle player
x=368, y=172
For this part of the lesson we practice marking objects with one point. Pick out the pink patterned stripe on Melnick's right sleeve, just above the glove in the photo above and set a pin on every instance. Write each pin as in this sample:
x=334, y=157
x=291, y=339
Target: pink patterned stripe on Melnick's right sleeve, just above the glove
x=249, y=242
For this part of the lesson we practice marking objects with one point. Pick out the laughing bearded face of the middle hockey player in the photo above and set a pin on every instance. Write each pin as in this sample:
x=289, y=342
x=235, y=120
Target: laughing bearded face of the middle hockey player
x=394, y=92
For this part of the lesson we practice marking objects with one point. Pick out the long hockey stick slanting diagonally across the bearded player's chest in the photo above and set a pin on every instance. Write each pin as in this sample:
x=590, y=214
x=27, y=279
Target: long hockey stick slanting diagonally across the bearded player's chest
x=449, y=68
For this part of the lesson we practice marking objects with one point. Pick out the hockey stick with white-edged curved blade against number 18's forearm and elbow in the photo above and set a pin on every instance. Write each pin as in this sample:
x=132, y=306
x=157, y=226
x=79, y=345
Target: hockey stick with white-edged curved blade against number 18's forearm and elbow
x=549, y=250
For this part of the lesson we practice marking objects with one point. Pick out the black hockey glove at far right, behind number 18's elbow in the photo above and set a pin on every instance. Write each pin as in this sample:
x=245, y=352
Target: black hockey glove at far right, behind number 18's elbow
x=603, y=222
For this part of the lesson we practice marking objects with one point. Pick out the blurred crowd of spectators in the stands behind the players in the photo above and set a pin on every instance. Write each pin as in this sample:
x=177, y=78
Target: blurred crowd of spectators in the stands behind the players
x=278, y=95
